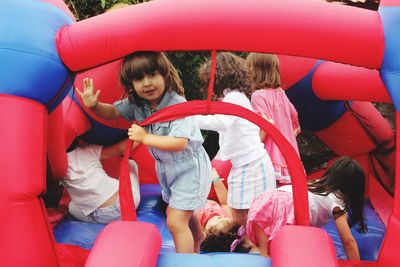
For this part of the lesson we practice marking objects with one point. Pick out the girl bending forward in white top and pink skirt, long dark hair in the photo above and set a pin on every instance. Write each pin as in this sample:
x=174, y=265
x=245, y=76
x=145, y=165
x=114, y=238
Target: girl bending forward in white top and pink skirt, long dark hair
x=339, y=191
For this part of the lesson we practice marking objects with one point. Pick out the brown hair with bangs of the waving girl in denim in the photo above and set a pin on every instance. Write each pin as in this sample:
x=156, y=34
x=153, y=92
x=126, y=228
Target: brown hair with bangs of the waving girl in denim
x=136, y=65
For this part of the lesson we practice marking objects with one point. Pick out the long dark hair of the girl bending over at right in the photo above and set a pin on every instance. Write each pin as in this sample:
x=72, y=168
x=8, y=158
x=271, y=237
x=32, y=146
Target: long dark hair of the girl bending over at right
x=346, y=179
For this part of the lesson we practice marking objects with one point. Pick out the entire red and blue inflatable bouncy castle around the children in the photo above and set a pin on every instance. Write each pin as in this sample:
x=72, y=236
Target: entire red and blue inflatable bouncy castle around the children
x=335, y=59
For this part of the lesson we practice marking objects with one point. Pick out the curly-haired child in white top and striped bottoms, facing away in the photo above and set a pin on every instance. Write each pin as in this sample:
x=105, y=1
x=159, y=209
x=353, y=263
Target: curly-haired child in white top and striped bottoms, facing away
x=252, y=172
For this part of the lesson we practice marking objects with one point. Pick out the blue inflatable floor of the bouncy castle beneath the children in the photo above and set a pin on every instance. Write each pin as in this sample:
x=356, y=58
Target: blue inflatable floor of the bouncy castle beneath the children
x=152, y=210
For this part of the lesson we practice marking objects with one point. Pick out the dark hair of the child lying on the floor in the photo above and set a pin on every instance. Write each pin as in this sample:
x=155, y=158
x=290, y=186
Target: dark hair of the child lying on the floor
x=220, y=241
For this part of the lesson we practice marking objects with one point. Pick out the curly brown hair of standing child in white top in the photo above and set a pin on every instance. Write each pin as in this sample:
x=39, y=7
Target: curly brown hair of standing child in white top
x=230, y=73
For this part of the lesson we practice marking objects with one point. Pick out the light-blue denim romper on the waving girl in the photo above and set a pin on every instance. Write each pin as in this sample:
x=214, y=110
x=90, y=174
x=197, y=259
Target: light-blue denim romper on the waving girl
x=184, y=175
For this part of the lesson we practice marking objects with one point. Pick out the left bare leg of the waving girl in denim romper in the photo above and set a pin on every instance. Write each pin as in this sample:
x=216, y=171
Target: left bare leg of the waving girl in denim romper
x=178, y=225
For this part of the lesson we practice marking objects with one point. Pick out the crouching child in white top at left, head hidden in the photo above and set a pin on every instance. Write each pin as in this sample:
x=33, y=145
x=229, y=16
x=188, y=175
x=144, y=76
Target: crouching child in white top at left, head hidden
x=94, y=194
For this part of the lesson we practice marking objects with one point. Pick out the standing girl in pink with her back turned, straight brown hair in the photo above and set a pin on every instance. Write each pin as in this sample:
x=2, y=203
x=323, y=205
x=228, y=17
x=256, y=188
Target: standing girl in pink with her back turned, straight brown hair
x=270, y=101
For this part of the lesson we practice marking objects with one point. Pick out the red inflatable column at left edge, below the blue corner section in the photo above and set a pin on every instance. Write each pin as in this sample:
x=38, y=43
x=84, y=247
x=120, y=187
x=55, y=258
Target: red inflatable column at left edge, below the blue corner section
x=26, y=238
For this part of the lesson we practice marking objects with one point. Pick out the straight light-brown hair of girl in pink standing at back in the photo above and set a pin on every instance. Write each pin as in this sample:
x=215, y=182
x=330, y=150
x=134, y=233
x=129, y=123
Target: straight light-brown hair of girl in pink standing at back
x=264, y=70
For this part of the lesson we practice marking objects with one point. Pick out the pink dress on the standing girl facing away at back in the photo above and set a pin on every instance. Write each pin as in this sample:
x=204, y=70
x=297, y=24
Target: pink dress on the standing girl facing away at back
x=276, y=106
